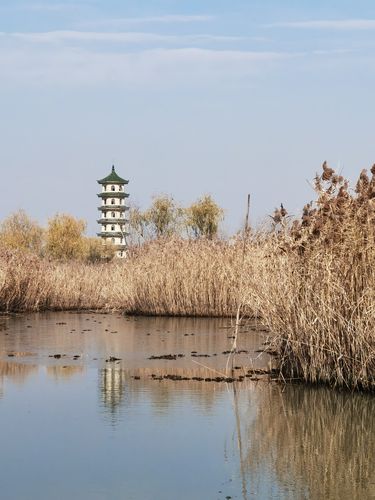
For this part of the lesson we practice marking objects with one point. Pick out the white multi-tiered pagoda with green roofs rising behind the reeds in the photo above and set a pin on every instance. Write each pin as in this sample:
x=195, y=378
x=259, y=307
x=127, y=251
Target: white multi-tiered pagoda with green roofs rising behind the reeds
x=113, y=212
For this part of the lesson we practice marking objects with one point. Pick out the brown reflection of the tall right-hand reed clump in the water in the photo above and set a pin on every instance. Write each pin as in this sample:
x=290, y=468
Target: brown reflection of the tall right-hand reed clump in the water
x=319, y=442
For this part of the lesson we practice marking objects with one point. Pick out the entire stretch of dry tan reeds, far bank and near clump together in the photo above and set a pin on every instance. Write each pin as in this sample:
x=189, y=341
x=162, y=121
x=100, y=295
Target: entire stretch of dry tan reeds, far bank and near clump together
x=311, y=281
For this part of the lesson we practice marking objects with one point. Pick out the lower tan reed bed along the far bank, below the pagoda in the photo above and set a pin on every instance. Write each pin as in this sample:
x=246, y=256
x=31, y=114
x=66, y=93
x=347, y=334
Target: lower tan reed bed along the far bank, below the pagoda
x=172, y=277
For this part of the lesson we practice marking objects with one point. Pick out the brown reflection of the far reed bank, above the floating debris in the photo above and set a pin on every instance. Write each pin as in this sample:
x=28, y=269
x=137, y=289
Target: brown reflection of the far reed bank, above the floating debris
x=98, y=336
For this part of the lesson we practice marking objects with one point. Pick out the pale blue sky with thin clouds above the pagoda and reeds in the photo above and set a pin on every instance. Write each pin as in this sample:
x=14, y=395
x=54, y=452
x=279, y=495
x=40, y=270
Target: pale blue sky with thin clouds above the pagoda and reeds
x=186, y=98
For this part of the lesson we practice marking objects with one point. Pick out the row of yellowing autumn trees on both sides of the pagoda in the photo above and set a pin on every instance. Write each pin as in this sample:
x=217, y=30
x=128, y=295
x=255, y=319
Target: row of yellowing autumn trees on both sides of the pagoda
x=64, y=237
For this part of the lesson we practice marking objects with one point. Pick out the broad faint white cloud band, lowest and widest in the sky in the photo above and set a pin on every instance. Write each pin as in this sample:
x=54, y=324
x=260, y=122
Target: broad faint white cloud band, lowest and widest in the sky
x=161, y=67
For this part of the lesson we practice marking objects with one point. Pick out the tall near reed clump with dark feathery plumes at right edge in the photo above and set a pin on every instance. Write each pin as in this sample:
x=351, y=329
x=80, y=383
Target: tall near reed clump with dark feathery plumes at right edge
x=319, y=298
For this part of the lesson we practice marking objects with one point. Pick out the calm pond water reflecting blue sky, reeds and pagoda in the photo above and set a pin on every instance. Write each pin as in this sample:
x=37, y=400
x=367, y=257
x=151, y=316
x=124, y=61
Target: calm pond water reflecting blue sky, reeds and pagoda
x=80, y=427
